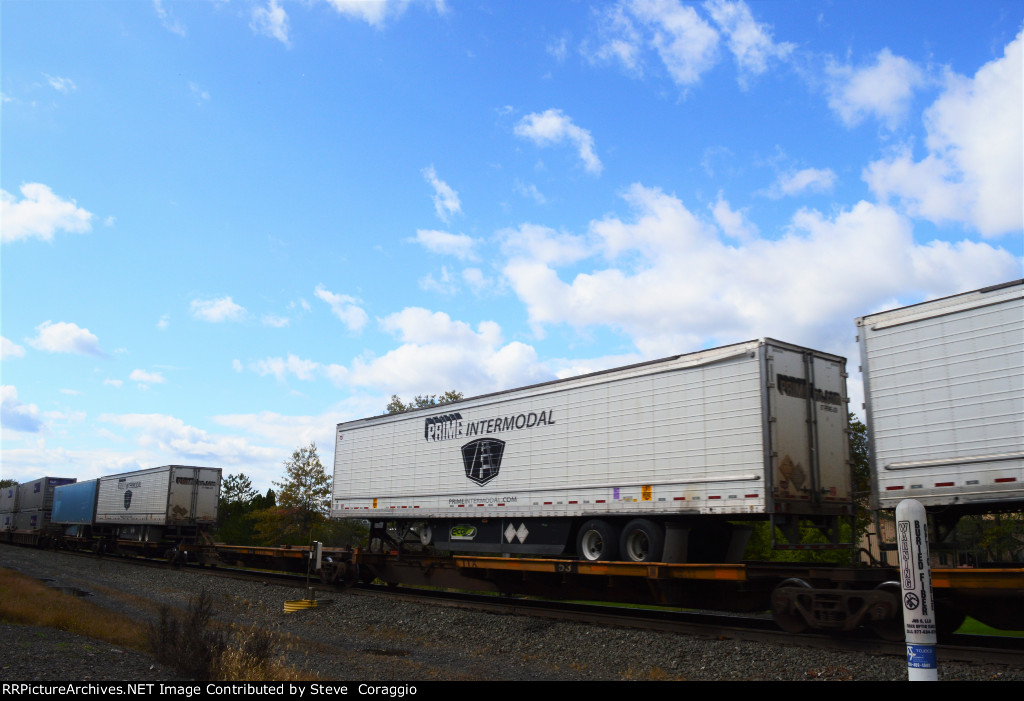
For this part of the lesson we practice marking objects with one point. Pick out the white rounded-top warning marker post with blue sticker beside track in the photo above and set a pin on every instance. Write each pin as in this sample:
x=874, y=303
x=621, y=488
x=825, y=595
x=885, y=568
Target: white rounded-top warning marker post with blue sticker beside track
x=916, y=583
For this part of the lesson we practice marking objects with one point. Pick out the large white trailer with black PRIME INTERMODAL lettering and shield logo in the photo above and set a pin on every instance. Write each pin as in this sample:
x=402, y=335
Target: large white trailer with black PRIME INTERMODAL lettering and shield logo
x=651, y=462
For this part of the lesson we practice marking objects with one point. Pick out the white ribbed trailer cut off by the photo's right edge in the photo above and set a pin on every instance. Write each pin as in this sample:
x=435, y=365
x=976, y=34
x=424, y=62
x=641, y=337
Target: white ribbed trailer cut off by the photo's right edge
x=945, y=391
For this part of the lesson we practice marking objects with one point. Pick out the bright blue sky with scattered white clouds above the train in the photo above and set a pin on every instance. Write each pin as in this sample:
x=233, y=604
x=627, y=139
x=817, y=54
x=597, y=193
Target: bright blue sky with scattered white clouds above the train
x=230, y=226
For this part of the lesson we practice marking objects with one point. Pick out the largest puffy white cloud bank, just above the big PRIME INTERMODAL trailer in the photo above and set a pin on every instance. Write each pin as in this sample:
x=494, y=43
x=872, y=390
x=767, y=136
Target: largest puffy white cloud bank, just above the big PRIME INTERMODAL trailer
x=670, y=282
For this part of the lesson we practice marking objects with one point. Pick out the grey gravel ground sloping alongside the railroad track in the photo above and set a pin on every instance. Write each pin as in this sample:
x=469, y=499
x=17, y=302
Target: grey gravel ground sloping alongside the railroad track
x=361, y=638
